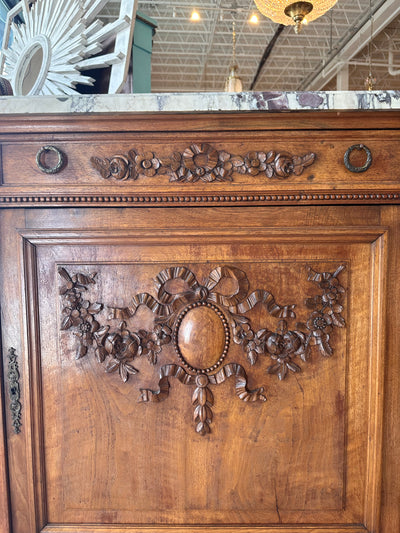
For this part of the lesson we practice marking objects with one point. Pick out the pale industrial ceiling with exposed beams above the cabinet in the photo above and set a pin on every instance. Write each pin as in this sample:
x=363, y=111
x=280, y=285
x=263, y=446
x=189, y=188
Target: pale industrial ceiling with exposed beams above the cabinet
x=190, y=56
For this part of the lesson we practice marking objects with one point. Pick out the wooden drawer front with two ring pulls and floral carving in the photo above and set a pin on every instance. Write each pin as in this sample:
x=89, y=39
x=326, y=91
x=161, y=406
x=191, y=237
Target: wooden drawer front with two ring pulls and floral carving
x=239, y=165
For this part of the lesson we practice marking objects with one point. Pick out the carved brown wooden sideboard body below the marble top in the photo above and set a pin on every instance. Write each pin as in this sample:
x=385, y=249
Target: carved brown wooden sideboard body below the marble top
x=200, y=323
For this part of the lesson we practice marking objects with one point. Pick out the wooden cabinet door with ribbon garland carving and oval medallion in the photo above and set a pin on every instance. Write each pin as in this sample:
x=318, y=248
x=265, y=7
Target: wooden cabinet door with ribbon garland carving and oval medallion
x=204, y=369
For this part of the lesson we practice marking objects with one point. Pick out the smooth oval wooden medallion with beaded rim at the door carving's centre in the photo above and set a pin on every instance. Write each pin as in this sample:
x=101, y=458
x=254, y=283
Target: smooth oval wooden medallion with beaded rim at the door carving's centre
x=201, y=337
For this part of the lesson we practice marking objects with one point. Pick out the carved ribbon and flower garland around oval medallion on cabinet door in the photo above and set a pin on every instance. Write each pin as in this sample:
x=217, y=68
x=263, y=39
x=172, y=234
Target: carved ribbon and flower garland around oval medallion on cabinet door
x=181, y=318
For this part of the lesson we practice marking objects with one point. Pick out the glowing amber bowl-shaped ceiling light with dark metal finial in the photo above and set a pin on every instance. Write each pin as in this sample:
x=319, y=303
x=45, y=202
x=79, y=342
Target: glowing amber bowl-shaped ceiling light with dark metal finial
x=292, y=13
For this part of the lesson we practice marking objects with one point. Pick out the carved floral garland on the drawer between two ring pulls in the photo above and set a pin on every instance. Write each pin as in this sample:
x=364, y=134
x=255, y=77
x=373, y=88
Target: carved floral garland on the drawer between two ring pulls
x=202, y=162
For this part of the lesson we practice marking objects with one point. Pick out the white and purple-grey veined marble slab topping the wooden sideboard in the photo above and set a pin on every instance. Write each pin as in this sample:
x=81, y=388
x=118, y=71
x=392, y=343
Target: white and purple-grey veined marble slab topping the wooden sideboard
x=201, y=102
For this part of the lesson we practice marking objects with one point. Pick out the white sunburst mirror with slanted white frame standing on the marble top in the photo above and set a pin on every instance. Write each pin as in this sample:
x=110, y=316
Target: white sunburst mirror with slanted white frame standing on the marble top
x=57, y=41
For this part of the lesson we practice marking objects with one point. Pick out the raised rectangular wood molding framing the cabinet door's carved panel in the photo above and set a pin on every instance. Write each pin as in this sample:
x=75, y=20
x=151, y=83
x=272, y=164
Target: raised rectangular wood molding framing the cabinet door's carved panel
x=376, y=237
